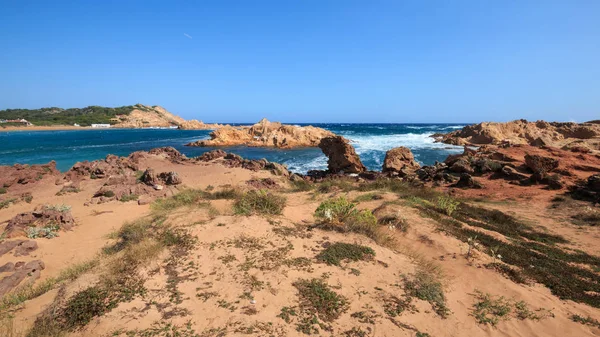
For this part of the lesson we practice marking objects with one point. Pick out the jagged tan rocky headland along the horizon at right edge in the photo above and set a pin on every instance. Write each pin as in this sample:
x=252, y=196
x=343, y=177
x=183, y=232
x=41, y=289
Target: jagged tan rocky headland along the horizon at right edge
x=538, y=133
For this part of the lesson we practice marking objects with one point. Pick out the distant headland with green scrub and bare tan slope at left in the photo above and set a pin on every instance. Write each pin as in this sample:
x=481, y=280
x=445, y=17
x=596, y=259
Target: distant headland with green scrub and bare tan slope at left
x=131, y=116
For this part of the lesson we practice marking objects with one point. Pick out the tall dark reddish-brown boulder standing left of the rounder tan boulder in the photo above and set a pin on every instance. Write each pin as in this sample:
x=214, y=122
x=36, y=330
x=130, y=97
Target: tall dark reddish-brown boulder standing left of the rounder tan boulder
x=341, y=155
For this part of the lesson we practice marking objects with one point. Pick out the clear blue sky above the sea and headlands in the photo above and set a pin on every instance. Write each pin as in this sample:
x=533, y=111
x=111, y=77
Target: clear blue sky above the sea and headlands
x=309, y=60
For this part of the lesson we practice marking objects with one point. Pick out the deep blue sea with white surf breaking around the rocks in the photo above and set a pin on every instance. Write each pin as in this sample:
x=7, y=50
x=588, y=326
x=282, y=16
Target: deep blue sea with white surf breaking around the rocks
x=371, y=141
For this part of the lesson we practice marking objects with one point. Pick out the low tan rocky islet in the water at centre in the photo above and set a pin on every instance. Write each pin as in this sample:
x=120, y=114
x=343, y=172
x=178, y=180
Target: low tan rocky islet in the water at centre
x=266, y=134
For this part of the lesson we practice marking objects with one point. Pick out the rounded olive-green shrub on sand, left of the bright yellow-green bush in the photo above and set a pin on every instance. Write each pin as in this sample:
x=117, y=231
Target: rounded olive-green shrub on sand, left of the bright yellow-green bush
x=259, y=202
